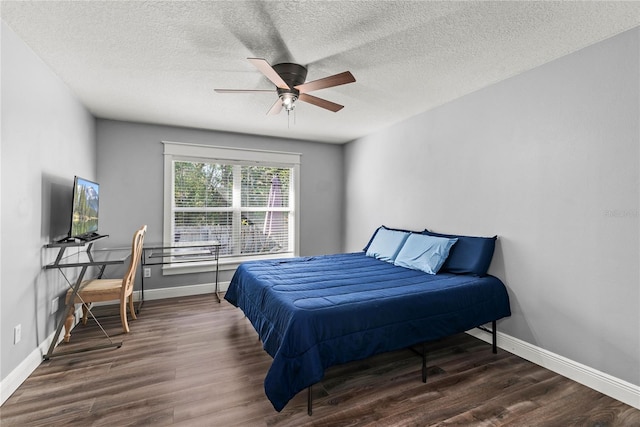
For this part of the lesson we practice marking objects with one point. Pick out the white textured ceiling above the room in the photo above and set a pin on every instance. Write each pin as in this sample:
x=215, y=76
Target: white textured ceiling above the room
x=158, y=62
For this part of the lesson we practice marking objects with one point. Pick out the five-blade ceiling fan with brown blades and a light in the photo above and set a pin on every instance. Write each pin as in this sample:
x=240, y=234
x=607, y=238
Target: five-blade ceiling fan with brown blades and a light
x=290, y=86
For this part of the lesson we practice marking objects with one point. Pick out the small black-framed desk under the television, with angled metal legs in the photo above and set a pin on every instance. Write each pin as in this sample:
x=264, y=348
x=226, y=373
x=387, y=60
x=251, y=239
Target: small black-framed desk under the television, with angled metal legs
x=83, y=259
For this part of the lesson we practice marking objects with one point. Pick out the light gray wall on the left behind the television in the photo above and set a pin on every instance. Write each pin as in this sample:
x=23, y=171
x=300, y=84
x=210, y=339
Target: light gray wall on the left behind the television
x=47, y=138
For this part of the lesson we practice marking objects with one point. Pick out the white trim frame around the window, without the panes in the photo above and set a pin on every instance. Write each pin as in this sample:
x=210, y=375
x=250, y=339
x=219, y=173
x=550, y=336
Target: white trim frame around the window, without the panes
x=180, y=151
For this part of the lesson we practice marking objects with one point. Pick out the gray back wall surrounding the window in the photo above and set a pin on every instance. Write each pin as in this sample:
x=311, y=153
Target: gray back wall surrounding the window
x=130, y=172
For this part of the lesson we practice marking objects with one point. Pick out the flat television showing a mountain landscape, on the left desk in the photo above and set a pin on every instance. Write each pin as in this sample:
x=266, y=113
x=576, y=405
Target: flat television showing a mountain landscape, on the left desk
x=84, y=217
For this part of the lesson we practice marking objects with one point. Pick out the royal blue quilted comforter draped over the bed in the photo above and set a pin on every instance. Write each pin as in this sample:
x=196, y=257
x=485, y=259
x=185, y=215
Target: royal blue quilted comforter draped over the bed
x=316, y=312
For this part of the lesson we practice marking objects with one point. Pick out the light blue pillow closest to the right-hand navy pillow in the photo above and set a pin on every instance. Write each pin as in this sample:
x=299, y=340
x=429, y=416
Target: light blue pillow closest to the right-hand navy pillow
x=424, y=252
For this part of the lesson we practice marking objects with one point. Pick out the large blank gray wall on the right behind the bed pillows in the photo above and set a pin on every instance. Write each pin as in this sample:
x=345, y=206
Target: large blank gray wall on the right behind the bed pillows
x=549, y=161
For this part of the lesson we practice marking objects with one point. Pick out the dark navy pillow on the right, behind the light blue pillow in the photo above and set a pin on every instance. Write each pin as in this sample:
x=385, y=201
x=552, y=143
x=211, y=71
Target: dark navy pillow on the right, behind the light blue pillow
x=470, y=255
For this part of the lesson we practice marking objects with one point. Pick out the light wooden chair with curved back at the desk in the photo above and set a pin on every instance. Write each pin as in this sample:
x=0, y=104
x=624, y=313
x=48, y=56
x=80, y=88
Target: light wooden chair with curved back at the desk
x=98, y=290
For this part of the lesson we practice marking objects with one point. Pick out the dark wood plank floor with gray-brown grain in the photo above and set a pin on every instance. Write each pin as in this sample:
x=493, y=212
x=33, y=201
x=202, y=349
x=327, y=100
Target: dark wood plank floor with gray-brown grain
x=193, y=362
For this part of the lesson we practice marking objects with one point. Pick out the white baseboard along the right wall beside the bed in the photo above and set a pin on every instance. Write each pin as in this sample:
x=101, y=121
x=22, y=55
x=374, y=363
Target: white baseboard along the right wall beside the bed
x=604, y=383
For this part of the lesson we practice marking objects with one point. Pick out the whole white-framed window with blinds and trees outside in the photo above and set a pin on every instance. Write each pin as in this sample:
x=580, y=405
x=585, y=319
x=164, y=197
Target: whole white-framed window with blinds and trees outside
x=244, y=199
